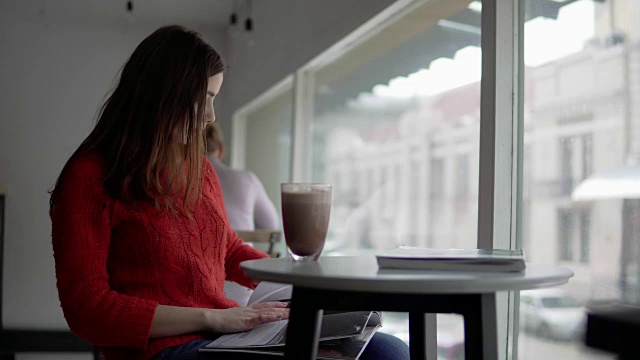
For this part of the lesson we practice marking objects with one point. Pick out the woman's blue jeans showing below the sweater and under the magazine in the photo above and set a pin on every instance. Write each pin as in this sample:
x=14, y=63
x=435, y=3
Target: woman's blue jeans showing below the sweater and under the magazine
x=381, y=347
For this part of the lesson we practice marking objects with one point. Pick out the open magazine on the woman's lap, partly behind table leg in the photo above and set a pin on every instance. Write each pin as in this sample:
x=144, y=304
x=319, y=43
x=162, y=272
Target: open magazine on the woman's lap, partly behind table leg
x=343, y=335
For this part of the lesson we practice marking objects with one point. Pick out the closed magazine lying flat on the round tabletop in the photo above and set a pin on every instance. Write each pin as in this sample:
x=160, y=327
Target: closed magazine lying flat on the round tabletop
x=407, y=257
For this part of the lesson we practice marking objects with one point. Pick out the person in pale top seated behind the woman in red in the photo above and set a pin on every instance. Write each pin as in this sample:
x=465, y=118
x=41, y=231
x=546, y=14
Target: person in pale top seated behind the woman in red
x=247, y=203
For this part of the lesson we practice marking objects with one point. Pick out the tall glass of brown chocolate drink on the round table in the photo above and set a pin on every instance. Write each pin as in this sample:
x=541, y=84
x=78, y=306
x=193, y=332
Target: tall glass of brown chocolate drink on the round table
x=305, y=214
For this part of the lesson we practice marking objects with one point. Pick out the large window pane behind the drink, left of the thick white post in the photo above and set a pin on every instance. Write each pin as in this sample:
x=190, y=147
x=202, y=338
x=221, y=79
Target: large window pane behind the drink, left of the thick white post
x=403, y=102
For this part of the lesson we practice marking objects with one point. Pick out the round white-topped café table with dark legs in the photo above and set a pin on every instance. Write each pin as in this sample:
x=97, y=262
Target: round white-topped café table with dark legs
x=356, y=283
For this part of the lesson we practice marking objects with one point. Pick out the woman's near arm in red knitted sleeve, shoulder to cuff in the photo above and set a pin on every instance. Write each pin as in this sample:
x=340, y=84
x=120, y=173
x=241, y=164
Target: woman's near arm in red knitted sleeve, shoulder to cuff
x=81, y=233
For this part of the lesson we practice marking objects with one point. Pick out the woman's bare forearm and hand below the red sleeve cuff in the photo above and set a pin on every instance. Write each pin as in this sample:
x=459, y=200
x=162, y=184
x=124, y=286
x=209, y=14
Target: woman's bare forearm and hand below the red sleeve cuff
x=174, y=320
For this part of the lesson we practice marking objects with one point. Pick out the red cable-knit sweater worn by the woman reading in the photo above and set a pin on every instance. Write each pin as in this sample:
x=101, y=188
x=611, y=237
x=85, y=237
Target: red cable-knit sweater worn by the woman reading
x=116, y=263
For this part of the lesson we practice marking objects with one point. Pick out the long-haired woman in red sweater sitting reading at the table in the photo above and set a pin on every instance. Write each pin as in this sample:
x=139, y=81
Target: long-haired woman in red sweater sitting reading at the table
x=141, y=240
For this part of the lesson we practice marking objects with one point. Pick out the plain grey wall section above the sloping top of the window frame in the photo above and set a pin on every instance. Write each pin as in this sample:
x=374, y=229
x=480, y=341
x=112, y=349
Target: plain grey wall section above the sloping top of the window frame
x=287, y=34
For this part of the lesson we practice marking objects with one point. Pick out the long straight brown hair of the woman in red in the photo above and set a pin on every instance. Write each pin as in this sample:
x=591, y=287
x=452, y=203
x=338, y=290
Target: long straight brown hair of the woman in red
x=159, y=100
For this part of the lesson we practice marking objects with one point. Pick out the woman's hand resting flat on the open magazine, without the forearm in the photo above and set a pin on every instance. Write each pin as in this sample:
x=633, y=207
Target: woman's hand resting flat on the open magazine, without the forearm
x=245, y=318
